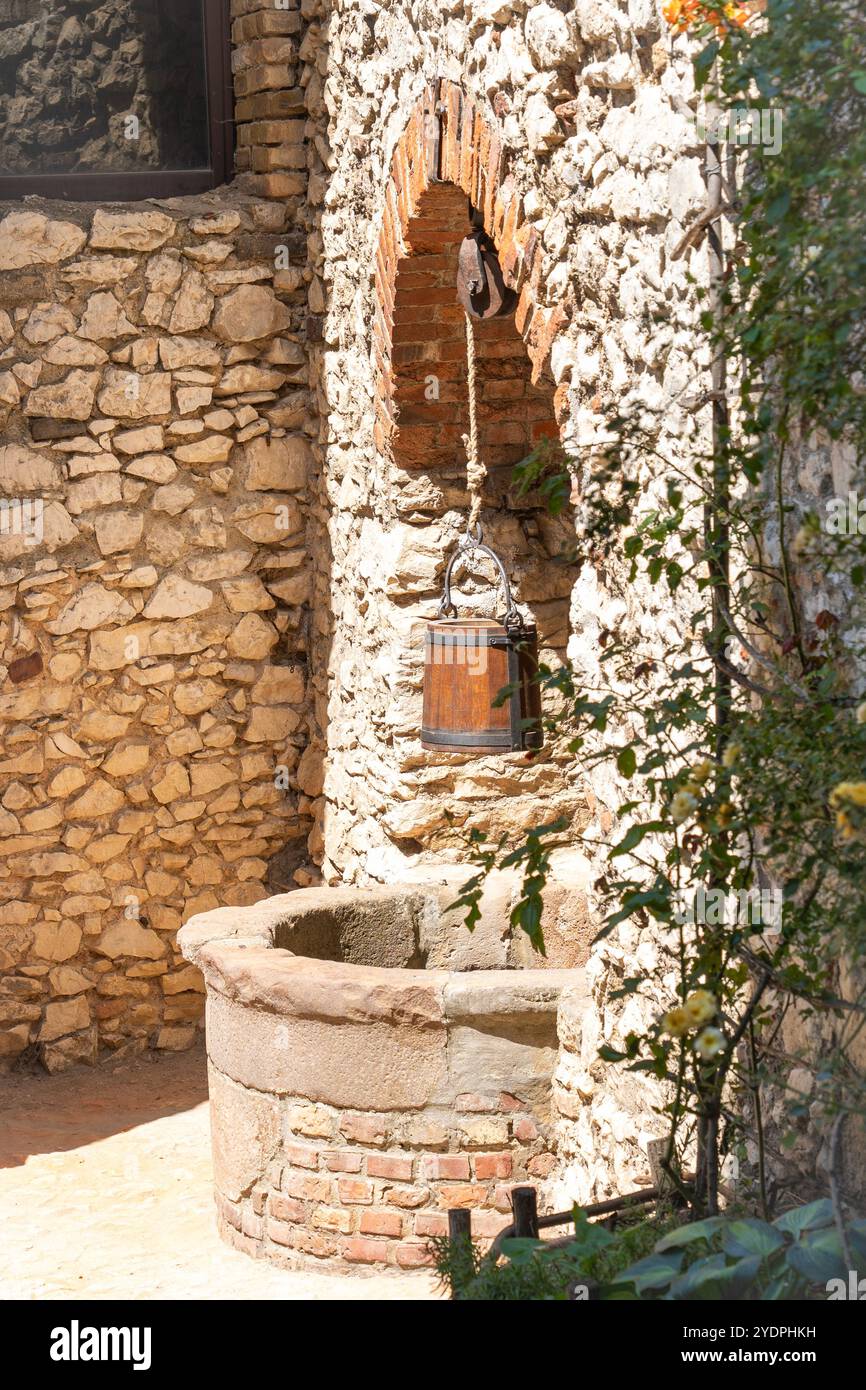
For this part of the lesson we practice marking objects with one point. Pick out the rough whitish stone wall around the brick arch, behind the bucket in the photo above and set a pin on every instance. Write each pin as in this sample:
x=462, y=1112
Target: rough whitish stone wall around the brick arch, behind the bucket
x=568, y=126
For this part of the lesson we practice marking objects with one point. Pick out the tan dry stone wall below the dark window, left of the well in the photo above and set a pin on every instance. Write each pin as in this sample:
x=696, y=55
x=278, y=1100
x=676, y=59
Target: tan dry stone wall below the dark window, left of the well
x=155, y=593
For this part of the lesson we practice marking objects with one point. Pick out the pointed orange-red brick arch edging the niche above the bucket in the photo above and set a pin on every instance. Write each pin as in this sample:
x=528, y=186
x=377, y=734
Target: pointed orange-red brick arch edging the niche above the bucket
x=450, y=142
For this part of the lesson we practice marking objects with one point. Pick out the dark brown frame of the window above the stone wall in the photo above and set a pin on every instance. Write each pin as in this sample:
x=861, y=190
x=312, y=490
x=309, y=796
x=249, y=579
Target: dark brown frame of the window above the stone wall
x=130, y=187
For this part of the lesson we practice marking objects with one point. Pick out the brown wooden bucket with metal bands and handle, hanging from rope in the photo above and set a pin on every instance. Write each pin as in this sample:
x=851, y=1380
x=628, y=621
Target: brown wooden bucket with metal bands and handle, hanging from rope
x=468, y=662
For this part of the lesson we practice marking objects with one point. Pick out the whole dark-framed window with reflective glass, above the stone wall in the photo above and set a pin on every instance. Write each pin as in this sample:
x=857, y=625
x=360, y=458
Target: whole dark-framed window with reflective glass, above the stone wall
x=116, y=99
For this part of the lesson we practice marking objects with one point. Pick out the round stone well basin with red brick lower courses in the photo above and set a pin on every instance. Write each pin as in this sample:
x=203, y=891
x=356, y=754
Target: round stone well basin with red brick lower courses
x=366, y=1075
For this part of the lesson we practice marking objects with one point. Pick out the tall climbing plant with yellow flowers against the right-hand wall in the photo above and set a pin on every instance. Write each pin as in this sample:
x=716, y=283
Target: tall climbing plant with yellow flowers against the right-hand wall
x=740, y=754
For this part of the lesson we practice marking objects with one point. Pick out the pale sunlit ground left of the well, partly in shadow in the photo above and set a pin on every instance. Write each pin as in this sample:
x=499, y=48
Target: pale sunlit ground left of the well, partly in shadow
x=106, y=1193
